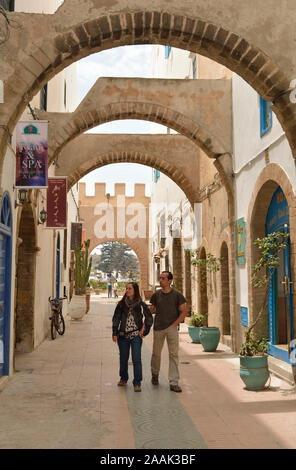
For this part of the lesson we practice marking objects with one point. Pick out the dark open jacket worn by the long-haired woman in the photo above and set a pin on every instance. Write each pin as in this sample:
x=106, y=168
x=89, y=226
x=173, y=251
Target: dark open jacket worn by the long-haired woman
x=120, y=317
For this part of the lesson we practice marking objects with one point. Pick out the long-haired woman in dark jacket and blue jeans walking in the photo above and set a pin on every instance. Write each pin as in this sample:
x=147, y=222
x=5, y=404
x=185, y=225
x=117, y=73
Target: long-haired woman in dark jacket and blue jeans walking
x=131, y=321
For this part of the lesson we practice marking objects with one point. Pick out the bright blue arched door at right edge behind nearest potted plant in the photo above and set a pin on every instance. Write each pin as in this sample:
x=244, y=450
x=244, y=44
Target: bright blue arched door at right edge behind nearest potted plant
x=280, y=302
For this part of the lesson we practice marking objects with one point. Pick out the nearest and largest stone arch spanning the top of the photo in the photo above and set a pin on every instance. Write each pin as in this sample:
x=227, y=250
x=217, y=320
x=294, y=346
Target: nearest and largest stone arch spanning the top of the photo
x=227, y=32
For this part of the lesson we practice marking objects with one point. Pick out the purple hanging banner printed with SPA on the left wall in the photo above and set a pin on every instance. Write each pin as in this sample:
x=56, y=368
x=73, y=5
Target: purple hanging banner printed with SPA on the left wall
x=31, y=154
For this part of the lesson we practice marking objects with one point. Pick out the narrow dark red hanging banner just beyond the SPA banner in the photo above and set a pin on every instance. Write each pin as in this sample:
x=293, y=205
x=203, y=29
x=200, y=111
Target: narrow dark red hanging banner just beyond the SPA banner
x=57, y=202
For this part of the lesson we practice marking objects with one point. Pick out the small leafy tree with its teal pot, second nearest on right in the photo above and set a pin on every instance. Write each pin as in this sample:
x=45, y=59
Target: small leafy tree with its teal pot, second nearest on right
x=209, y=335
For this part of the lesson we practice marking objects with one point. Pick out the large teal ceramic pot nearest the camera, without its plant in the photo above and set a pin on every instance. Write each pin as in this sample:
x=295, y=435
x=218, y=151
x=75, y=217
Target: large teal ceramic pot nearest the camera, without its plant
x=254, y=371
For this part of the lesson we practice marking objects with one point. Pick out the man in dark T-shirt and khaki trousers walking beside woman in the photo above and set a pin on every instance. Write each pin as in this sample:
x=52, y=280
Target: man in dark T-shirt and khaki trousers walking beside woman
x=169, y=305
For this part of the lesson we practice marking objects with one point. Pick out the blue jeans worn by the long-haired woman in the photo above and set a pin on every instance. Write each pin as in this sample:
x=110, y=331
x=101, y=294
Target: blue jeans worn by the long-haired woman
x=124, y=345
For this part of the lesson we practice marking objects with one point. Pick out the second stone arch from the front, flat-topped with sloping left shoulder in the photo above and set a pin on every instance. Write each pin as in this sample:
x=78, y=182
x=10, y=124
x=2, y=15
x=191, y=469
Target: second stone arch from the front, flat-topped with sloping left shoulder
x=199, y=109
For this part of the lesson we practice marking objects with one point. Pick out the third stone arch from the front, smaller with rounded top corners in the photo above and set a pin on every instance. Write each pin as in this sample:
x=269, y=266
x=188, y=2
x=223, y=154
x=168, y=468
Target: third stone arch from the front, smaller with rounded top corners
x=168, y=153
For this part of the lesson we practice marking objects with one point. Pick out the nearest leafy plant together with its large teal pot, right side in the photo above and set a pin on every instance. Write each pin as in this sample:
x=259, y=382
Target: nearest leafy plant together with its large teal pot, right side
x=253, y=358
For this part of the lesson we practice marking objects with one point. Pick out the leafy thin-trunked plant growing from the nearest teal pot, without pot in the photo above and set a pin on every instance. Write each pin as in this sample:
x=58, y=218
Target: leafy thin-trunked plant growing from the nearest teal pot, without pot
x=270, y=248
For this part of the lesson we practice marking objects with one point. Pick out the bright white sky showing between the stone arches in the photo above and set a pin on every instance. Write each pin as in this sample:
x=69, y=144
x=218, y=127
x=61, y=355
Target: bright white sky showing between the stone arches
x=126, y=61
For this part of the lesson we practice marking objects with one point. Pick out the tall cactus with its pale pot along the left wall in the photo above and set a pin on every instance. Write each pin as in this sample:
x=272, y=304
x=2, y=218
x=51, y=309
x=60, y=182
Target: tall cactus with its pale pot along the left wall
x=80, y=303
